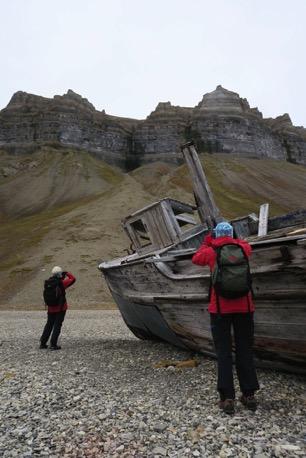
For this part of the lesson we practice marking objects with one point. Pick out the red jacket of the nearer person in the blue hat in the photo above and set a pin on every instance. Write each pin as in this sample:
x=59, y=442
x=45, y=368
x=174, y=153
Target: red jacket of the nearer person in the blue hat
x=206, y=255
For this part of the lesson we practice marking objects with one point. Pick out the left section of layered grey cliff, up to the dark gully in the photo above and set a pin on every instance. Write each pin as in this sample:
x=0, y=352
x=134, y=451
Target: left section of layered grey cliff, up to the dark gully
x=29, y=121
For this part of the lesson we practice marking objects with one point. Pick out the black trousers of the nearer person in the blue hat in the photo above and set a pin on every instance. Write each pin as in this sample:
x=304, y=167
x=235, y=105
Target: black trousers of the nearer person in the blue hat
x=243, y=326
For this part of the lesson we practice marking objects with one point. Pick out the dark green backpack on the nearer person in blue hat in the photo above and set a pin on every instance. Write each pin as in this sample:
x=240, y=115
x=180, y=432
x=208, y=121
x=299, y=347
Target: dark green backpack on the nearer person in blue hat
x=231, y=277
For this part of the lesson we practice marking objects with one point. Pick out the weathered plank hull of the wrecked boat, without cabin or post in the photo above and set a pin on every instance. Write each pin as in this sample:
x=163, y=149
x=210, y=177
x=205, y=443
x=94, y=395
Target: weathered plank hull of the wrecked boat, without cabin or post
x=168, y=300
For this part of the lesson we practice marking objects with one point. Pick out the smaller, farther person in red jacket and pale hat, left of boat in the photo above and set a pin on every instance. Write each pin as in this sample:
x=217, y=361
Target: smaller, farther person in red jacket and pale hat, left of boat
x=56, y=313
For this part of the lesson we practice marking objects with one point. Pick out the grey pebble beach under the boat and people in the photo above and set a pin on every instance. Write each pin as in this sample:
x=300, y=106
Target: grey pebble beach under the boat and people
x=100, y=396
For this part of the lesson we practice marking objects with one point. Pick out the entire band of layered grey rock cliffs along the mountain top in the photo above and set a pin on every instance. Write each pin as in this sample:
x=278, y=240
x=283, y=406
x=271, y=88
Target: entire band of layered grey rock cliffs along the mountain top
x=221, y=122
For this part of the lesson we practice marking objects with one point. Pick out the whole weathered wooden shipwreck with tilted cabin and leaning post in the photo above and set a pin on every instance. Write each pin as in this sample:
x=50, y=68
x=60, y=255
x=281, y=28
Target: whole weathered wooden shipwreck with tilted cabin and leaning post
x=162, y=295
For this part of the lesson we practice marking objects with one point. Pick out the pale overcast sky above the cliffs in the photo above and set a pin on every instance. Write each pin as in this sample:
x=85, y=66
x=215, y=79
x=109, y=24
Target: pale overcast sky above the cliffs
x=125, y=56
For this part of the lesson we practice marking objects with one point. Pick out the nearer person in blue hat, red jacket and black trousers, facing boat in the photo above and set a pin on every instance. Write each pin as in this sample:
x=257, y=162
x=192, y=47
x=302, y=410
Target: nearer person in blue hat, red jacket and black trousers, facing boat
x=227, y=313
